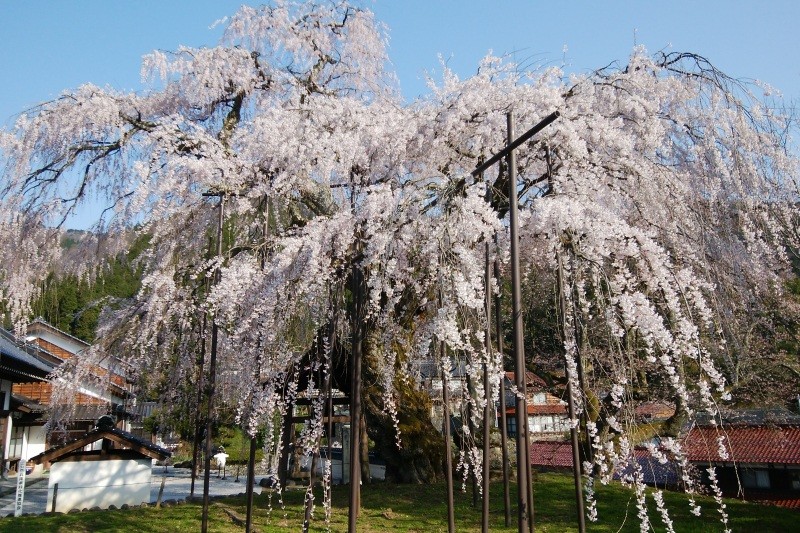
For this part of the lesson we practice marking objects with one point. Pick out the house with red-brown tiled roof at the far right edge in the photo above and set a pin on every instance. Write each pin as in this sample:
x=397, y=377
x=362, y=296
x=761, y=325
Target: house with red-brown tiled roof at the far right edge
x=756, y=454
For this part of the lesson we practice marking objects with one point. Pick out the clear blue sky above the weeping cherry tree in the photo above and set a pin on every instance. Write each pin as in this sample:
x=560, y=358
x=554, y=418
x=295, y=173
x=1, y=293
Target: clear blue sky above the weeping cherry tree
x=49, y=46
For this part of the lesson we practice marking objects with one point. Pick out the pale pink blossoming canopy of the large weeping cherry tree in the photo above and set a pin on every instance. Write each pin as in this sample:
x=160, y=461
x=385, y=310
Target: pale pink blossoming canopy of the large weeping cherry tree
x=665, y=197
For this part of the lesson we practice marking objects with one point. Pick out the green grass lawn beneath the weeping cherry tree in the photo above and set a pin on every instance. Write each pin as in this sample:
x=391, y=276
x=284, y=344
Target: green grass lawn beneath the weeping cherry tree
x=417, y=508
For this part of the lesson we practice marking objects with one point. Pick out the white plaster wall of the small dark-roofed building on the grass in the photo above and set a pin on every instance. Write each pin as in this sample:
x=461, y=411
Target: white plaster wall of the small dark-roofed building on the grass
x=86, y=484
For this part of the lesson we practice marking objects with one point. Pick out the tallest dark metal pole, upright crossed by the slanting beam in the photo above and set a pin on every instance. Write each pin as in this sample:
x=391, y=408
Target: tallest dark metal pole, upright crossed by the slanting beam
x=523, y=481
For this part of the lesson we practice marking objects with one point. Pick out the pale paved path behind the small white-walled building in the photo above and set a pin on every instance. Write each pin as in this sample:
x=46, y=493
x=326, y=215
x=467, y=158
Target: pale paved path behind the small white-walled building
x=176, y=487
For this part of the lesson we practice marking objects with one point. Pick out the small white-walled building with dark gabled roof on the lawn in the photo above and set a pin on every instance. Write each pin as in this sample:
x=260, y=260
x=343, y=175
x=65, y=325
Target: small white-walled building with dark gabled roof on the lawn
x=117, y=472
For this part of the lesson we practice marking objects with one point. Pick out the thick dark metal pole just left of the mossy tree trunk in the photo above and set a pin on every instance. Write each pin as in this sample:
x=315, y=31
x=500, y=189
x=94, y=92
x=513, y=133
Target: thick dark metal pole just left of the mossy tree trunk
x=355, y=405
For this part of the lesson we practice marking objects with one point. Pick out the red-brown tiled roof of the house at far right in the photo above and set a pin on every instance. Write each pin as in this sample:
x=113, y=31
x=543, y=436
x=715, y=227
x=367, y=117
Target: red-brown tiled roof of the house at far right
x=745, y=444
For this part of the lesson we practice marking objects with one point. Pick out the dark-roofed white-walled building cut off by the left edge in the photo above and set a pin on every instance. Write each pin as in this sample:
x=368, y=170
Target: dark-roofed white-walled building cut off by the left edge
x=19, y=365
